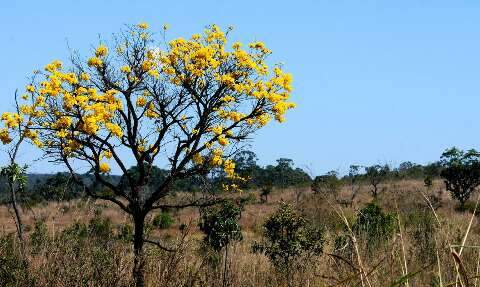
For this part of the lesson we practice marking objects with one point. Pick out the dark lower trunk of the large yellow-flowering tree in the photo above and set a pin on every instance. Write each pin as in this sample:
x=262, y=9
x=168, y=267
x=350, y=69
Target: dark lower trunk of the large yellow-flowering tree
x=139, y=260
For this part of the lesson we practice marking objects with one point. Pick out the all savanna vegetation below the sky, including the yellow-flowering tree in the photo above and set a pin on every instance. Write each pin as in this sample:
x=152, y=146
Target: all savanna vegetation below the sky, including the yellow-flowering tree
x=188, y=203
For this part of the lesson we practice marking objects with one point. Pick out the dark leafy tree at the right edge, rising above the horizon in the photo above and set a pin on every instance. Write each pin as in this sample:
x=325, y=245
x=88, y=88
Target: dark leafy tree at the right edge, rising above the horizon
x=461, y=173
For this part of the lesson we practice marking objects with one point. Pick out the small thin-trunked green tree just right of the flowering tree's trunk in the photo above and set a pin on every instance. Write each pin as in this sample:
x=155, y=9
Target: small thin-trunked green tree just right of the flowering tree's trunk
x=221, y=227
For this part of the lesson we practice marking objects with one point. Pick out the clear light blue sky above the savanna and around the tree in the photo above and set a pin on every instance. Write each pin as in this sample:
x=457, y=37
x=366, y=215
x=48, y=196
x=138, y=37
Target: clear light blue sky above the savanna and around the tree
x=375, y=81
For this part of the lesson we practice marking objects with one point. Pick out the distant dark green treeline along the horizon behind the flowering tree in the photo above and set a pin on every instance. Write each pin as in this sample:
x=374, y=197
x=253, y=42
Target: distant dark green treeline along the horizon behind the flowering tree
x=283, y=174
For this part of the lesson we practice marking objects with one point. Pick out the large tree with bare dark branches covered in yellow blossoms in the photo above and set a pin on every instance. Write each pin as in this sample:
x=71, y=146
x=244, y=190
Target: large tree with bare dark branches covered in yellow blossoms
x=187, y=102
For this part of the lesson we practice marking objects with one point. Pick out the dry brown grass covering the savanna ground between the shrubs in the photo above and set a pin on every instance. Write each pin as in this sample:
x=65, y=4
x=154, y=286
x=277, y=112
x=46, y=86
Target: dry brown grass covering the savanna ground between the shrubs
x=426, y=251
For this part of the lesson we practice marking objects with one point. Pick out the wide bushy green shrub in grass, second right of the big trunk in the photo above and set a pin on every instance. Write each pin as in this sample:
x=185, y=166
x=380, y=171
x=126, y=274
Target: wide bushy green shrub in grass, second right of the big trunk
x=288, y=236
